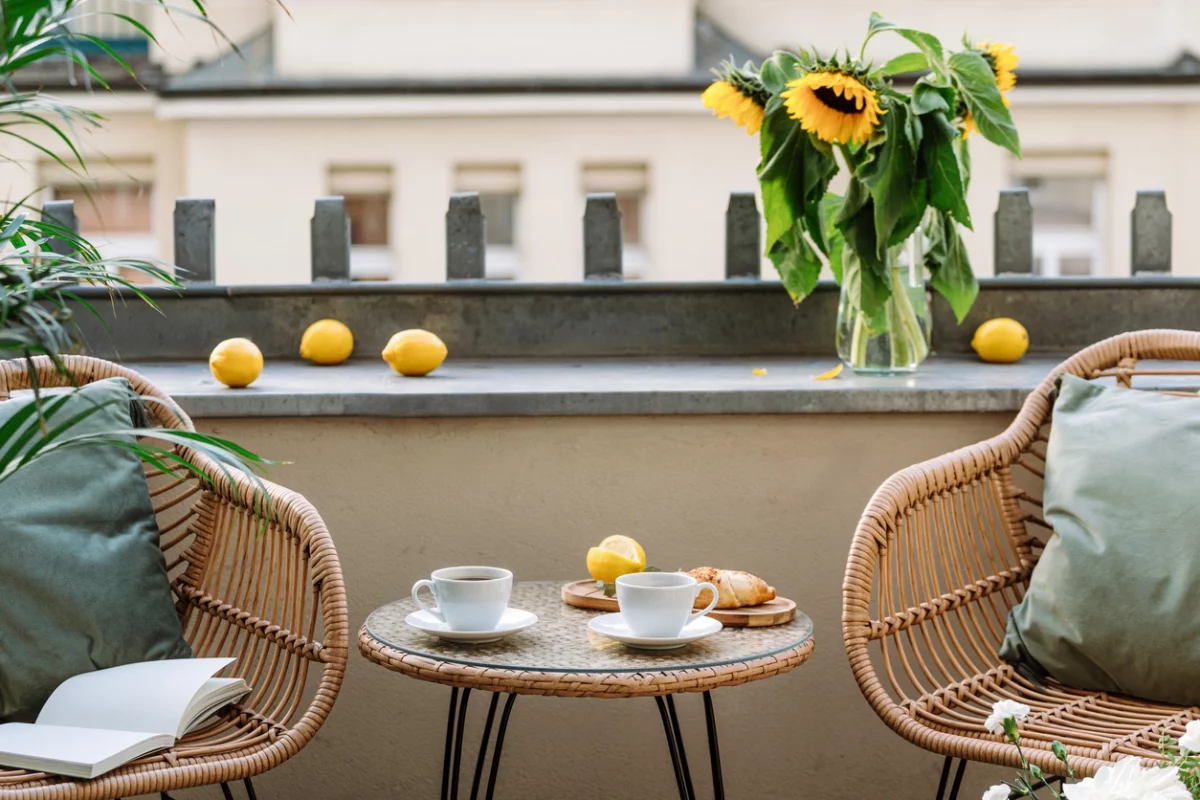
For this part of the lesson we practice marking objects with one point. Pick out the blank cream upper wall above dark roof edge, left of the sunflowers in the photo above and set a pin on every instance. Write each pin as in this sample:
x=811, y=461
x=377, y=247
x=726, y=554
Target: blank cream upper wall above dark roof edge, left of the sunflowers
x=484, y=39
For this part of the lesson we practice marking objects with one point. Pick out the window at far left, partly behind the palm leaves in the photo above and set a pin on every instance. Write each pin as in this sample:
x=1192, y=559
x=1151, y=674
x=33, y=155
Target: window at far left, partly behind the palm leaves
x=116, y=208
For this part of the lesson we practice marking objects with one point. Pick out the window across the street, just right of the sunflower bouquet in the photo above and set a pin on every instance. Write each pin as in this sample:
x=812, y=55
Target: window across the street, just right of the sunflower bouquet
x=1067, y=193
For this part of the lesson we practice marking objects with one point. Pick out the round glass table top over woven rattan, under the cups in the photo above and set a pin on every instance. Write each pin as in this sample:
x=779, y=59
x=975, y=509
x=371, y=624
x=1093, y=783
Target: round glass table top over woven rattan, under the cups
x=561, y=642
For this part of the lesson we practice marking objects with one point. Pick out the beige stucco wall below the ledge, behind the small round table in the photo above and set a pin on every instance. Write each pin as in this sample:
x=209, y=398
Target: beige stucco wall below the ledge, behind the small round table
x=778, y=496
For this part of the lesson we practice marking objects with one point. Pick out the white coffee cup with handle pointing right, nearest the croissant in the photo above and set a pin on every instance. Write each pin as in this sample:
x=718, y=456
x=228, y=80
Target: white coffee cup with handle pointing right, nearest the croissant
x=658, y=605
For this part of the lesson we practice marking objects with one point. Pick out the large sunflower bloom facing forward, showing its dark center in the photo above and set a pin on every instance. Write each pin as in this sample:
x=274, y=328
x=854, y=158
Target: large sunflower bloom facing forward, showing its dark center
x=835, y=106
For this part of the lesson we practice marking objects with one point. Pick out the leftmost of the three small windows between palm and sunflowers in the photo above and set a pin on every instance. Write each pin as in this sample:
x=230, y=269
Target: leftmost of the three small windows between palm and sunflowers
x=368, y=193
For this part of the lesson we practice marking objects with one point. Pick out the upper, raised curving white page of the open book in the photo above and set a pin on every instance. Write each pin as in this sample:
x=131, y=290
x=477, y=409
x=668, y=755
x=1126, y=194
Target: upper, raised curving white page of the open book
x=151, y=697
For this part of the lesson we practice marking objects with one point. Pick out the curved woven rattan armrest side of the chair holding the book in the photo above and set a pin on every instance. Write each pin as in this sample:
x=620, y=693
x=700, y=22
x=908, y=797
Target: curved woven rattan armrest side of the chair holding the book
x=262, y=582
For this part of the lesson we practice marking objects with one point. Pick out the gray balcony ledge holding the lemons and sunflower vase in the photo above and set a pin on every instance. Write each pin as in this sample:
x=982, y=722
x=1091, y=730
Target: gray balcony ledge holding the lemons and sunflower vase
x=602, y=387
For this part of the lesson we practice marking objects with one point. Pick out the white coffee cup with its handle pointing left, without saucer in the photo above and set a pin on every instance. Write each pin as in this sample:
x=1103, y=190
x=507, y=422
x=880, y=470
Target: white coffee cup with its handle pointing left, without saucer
x=469, y=598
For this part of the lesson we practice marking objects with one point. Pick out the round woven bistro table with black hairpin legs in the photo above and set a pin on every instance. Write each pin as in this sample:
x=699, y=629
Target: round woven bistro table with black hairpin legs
x=561, y=657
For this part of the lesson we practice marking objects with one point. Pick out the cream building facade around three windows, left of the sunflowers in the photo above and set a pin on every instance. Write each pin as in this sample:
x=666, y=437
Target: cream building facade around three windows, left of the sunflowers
x=266, y=194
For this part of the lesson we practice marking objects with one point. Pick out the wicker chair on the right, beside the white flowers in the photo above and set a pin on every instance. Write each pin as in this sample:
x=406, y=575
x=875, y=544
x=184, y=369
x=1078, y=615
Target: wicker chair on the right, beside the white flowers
x=944, y=551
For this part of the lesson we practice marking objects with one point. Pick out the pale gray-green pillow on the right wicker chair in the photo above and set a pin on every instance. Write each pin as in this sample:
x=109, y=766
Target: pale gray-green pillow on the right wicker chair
x=1114, y=604
